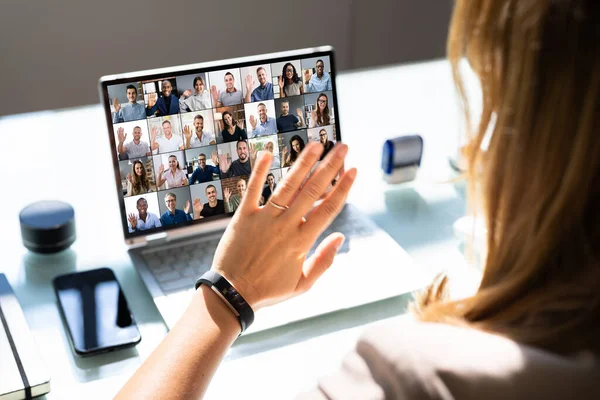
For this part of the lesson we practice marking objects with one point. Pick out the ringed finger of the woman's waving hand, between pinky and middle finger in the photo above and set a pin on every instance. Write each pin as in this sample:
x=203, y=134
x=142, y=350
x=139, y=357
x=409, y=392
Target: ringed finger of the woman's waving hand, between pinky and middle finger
x=286, y=191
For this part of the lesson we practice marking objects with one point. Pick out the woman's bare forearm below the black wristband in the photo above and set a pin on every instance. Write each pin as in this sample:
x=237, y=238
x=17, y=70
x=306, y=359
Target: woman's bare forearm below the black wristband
x=184, y=363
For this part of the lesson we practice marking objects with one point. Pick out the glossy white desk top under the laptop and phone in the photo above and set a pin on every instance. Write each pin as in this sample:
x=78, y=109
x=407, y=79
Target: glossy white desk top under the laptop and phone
x=46, y=162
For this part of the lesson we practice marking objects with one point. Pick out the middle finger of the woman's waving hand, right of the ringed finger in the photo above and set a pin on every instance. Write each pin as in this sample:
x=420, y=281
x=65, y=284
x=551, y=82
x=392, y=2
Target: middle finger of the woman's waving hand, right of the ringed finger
x=319, y=181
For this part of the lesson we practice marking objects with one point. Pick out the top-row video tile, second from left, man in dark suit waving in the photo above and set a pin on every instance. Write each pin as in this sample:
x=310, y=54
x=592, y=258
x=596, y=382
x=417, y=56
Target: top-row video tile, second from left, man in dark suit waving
x=161, y=97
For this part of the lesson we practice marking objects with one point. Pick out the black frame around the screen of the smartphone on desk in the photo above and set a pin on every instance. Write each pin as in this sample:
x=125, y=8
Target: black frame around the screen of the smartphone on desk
x=95, y=275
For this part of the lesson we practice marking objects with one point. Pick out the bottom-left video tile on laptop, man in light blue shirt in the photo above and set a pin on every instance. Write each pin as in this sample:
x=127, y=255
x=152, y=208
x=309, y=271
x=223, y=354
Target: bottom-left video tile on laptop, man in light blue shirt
x=142, y=212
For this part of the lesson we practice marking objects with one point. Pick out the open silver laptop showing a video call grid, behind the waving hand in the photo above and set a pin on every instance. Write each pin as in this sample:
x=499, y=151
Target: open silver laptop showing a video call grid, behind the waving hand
x=183, y=142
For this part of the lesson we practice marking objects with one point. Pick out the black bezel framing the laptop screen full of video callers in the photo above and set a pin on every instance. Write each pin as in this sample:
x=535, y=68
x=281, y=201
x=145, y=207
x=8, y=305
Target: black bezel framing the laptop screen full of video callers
x=221, y=221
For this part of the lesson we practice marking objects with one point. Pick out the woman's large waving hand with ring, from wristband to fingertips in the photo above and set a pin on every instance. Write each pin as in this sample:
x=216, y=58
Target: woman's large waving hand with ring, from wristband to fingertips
x=256, y=269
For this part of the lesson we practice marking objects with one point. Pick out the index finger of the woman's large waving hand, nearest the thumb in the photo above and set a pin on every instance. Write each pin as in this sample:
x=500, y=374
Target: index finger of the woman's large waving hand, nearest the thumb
x=322, y=216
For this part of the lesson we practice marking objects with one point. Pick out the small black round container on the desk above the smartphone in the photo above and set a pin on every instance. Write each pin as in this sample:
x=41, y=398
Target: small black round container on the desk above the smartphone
x=47, y=226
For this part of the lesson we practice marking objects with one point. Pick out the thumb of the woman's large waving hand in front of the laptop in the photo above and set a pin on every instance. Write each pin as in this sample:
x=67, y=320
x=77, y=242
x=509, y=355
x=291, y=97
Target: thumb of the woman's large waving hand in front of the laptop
x=319, y=262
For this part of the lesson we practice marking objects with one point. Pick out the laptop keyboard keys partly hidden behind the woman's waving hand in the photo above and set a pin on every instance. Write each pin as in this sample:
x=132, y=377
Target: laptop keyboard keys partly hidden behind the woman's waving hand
x=176, y=266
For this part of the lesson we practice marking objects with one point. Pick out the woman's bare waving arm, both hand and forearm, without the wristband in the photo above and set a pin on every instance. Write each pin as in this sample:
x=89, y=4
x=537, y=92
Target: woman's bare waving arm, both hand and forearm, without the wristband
x=183, y=364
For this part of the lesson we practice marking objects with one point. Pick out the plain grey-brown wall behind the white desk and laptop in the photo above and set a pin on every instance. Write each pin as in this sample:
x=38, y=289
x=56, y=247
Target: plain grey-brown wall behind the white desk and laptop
x=55, y=51
